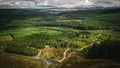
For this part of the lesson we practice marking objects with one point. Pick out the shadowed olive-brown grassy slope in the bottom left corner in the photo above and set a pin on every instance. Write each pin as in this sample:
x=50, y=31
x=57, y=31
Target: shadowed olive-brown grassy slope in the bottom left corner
x=17, y=61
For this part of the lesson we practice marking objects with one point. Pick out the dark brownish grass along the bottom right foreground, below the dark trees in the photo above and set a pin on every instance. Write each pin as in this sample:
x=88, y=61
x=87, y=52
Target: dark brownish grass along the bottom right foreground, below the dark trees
x=94, y=63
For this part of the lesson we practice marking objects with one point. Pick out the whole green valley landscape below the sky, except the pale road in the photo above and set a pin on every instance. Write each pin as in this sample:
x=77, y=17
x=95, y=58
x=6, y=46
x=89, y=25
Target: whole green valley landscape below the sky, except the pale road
x=89, y=34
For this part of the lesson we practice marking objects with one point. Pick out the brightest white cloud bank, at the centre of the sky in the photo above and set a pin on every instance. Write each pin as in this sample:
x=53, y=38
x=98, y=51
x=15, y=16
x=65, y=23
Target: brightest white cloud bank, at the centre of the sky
x=65, y=3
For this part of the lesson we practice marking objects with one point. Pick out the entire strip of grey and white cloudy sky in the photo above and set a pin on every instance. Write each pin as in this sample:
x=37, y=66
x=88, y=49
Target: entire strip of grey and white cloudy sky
x=59, y=3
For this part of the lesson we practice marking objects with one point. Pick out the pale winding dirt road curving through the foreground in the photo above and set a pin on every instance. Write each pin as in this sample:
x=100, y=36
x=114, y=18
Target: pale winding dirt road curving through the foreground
x=51, y=61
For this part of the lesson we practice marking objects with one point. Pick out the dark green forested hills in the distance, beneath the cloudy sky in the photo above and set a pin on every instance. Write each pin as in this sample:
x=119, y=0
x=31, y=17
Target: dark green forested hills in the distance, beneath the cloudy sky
x=91, y=19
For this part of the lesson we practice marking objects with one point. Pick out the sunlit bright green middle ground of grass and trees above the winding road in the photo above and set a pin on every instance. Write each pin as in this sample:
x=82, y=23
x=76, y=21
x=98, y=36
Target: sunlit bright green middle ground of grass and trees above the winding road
x=53, y=36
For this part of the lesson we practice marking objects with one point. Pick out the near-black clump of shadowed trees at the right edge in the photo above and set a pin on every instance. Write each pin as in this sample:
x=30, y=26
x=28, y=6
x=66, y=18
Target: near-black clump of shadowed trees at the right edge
x=109, y=49
